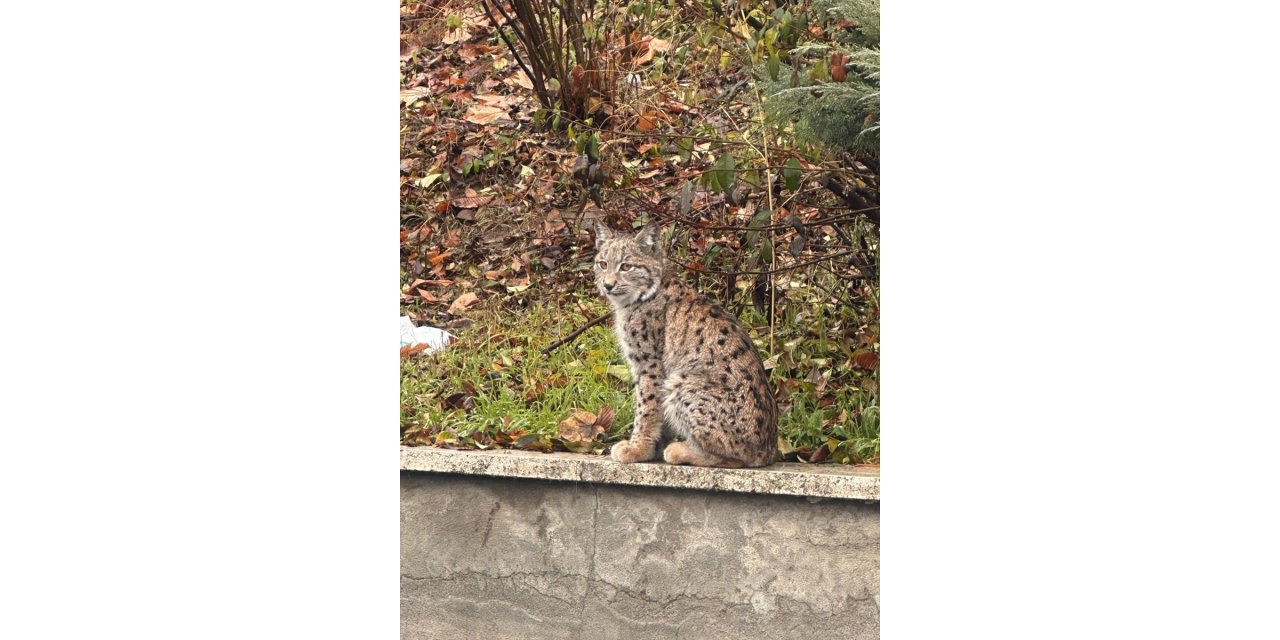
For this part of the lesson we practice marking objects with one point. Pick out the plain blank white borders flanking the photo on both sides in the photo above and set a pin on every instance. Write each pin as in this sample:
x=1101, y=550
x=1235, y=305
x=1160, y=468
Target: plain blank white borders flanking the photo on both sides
x=200, y=275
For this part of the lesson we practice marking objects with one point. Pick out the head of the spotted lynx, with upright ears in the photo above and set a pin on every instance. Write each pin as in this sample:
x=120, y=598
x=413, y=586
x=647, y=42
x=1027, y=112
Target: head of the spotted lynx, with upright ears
x=629, y=268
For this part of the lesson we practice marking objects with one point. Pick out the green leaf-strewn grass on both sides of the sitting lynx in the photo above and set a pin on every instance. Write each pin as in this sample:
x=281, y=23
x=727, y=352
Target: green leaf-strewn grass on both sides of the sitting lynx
x=493, y=388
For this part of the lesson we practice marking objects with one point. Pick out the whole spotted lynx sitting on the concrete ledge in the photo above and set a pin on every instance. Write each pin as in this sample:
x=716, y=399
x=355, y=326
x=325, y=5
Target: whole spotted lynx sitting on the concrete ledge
x=701, y=386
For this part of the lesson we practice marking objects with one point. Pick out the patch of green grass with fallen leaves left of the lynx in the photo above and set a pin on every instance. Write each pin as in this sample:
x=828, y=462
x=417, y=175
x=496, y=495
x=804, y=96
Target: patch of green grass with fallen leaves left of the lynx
x=495, y=388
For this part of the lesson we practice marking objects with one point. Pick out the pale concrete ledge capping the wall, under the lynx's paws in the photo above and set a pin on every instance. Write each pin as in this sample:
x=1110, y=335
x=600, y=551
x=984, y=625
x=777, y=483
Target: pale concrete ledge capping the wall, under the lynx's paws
x=780, y=479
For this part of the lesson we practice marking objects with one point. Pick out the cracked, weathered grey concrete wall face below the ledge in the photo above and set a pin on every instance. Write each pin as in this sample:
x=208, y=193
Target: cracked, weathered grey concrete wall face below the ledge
x=523, y=560
